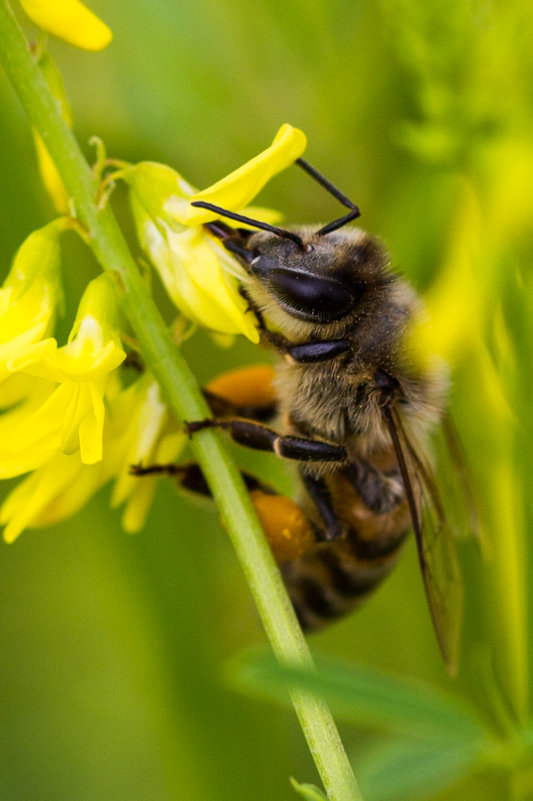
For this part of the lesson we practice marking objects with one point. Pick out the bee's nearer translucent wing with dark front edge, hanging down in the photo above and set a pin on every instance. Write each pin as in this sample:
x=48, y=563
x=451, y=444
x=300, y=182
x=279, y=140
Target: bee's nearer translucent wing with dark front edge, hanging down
x=435, y=541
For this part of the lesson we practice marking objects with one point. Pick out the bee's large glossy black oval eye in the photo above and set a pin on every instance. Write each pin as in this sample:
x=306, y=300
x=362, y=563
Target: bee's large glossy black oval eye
x=310, y=297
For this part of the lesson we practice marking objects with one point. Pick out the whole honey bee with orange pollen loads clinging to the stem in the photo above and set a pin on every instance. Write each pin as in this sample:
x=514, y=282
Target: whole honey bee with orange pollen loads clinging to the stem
x=345, y=402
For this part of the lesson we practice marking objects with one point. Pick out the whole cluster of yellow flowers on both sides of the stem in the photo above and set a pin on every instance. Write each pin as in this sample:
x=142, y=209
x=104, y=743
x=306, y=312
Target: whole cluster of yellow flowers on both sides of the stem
x=69, y=421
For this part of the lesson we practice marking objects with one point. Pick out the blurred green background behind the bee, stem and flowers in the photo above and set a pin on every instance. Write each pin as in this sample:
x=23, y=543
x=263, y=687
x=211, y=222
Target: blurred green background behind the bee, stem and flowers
x=114, y=647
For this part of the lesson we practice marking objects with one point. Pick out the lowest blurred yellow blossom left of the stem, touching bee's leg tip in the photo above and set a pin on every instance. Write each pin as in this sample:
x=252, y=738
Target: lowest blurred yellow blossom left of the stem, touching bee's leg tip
x=138, y=429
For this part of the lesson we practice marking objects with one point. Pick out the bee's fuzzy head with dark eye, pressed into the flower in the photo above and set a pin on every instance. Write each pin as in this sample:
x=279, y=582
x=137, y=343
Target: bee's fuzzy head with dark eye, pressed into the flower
x=306, y=279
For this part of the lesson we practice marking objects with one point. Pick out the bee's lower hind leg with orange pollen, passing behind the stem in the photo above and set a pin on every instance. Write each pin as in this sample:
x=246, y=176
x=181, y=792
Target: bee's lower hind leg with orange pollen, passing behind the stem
x=288, y=529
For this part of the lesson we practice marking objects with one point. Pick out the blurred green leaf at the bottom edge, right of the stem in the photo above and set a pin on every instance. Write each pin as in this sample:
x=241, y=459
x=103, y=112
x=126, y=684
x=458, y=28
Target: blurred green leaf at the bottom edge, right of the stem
x=401, y=770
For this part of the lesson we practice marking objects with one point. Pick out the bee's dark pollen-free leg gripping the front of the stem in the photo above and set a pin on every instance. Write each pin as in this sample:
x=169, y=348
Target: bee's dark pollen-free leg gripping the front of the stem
x=263, y=438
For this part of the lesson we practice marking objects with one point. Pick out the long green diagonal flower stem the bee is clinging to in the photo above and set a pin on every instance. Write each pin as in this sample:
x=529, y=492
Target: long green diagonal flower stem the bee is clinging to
x=186, y=402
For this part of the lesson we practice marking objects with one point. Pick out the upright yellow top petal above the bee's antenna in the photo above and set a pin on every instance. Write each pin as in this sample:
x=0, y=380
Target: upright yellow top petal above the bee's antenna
x=237, y=189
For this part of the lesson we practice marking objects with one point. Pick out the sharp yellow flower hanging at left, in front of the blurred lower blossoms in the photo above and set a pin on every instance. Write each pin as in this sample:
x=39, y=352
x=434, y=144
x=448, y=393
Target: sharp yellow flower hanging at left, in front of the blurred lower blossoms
x=65, y=410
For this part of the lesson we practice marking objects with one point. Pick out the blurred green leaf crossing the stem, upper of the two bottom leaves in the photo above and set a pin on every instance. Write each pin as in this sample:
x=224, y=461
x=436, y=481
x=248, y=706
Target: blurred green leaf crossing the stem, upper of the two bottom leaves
x=366, y=697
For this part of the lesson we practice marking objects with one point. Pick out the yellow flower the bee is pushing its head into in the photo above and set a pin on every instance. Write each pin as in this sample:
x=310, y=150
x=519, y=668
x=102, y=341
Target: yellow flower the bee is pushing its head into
x=199, y=274
